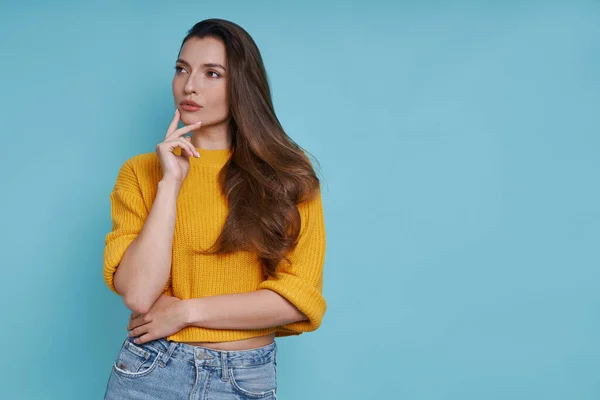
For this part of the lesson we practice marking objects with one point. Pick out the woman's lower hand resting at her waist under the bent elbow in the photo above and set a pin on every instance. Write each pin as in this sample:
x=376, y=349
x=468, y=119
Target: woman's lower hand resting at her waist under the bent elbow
x=166, y=317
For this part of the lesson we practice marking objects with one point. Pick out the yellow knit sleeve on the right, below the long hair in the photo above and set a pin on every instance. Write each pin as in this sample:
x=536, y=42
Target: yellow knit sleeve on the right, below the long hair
x=301, y=280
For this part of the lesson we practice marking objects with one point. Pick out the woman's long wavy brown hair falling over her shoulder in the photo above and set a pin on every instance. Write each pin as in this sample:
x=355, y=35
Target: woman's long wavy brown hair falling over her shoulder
x=268, y=174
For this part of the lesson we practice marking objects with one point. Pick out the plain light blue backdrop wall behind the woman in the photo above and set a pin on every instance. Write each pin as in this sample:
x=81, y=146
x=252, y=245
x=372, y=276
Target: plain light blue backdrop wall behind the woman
x=459, y=148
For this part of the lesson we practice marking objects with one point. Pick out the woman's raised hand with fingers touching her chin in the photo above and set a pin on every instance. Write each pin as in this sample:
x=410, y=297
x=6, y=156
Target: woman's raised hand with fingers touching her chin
x=173, y=166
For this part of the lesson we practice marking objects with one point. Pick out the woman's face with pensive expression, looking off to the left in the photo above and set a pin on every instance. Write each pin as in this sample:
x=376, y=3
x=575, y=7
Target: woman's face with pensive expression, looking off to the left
x=200, y=76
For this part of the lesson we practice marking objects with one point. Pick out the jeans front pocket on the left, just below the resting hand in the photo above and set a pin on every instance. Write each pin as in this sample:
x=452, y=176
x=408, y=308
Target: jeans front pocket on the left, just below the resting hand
x=135, y=361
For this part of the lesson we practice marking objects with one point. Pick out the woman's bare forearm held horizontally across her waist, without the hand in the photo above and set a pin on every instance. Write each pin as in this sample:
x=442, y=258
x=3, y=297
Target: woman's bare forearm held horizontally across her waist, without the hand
x=254, y=310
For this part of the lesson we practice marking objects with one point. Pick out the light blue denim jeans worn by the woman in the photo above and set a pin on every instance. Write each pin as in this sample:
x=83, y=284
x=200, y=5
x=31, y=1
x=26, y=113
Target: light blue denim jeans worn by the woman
x=171, y=370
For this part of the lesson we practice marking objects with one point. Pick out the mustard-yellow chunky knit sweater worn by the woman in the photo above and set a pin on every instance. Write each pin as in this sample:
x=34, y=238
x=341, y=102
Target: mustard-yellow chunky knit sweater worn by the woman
x=201, y=214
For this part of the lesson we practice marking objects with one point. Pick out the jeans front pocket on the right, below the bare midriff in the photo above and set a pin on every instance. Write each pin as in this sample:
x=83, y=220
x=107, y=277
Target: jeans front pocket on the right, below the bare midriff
x=254, y=381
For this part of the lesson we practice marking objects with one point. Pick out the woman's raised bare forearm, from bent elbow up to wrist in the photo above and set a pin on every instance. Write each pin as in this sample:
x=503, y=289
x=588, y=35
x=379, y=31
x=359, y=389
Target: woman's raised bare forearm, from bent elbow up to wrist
x=146, y=264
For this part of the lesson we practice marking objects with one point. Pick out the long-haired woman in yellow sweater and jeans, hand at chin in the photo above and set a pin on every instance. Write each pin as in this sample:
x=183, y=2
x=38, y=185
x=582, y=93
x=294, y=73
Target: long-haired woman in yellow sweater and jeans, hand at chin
x=218, y=238
